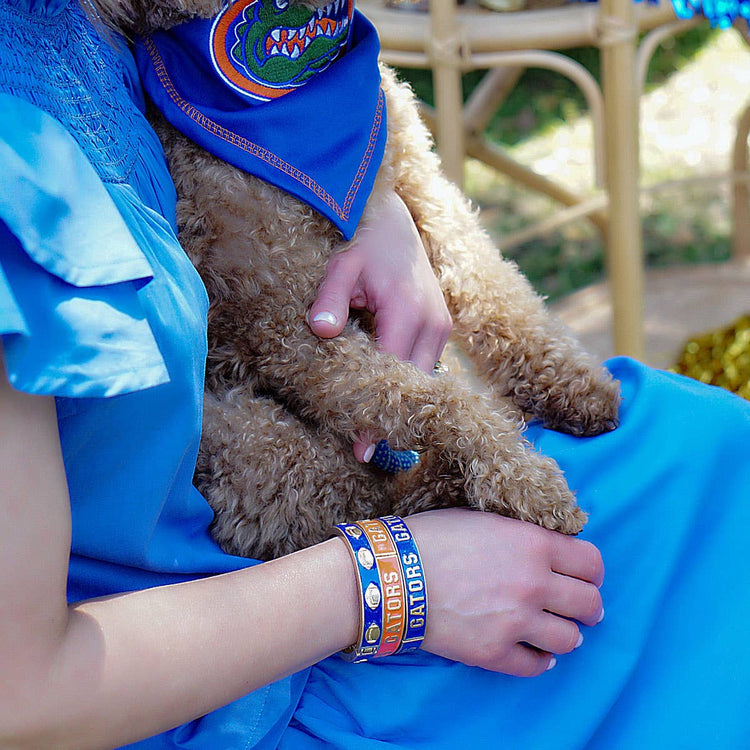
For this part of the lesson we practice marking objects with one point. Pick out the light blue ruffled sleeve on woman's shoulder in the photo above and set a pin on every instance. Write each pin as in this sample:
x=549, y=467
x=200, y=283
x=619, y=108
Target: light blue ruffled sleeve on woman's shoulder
x=70, y=271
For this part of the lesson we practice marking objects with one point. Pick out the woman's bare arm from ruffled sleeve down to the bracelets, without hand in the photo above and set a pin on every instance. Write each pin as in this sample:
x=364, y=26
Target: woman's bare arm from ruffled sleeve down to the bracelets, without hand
x=105, y=672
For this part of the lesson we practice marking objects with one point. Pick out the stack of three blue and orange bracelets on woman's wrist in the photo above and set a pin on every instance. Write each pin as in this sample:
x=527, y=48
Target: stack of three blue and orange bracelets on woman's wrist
x=391, y=586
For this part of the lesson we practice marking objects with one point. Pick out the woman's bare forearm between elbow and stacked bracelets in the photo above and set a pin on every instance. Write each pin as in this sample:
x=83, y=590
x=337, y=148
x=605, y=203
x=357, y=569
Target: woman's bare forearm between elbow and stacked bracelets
x=133, y=665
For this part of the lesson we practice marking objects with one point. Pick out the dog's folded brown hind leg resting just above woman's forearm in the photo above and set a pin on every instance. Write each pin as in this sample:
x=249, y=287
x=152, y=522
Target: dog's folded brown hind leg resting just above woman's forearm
x=274, y=482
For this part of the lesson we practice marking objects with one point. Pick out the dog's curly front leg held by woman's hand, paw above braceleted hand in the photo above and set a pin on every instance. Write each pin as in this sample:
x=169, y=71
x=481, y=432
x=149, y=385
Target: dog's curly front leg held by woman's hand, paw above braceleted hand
x=350, y=388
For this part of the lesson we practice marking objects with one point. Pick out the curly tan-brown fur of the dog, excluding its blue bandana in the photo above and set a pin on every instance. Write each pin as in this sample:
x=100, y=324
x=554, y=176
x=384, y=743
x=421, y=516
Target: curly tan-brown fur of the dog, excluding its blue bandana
x=283, y=407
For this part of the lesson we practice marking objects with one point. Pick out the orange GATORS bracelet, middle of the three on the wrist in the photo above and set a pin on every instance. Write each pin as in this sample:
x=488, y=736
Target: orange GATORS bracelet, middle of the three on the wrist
x=392, y=583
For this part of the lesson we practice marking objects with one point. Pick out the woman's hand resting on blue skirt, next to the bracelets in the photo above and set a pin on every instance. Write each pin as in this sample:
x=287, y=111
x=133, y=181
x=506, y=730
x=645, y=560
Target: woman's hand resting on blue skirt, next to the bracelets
x=503, y=594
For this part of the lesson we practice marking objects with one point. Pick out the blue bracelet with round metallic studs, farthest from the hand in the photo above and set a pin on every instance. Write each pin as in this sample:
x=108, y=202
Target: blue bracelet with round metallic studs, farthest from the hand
x=370, y=593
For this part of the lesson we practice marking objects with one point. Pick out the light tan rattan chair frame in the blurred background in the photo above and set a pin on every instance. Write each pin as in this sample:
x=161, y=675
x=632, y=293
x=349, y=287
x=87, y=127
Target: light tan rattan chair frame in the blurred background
x=451, y=40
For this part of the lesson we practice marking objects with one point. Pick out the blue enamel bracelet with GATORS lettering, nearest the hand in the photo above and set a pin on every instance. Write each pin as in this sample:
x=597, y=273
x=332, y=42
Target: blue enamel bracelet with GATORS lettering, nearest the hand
x=415, y=585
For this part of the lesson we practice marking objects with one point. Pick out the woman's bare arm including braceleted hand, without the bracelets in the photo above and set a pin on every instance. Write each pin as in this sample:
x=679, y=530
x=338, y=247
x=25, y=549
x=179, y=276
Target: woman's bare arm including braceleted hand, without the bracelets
x=105, y=672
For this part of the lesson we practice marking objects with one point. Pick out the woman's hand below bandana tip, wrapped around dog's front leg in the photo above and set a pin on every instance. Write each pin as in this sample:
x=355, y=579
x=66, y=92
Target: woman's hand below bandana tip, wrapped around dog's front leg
x=386, y=272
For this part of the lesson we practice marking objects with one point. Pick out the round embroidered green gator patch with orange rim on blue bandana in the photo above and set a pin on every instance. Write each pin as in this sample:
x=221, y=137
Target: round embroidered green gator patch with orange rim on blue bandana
x=267, y=48
